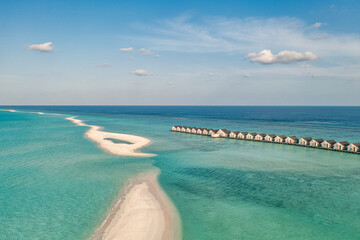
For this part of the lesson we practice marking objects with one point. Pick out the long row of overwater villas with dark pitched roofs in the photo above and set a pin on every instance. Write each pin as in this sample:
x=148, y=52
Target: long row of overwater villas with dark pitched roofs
x=343, y=146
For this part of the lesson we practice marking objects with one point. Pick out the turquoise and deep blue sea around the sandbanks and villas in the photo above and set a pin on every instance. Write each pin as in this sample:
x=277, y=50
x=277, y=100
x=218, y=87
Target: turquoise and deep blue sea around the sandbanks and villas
x=56, y=184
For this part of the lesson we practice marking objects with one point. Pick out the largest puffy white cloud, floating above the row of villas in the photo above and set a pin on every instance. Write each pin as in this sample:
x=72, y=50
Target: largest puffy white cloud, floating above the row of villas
x=266, y=57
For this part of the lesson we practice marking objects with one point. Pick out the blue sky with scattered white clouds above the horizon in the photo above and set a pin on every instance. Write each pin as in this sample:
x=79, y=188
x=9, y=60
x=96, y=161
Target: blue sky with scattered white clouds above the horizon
x=227, y=52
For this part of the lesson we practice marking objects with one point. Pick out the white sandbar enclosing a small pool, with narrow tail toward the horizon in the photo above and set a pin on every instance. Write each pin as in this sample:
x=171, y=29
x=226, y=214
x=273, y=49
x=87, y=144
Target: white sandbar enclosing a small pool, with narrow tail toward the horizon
x=122, y=149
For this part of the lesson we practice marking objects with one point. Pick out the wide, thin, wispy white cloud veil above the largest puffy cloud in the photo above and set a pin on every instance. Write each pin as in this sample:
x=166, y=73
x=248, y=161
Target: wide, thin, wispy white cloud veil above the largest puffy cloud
x=236, y=35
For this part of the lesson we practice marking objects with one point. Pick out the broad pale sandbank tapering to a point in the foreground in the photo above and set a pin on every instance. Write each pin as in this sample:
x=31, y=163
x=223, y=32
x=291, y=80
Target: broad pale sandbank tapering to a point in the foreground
x=143, y=212
